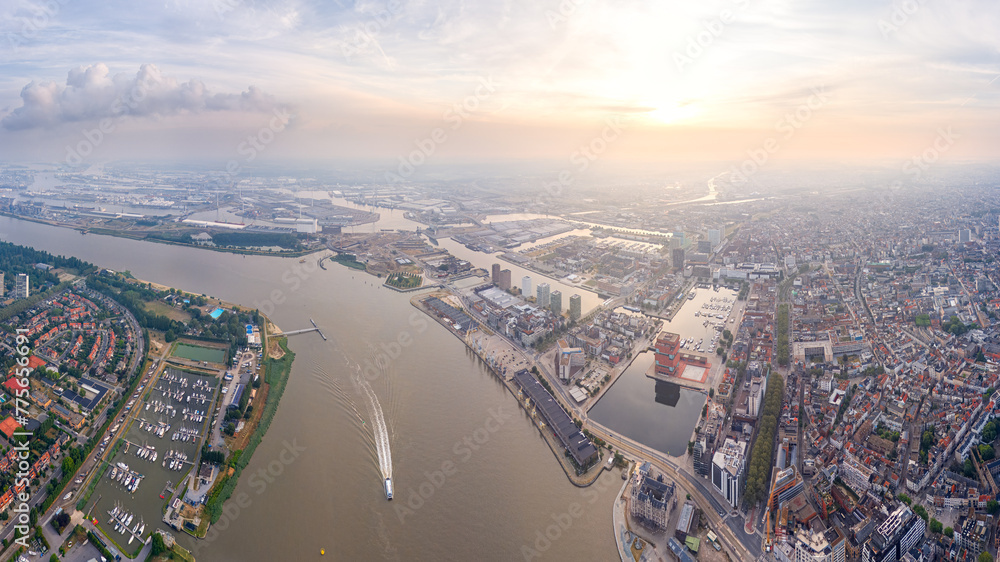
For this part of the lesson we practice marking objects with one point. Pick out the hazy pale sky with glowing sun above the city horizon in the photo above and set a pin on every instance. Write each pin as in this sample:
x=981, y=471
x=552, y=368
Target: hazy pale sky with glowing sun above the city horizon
x=532, y=79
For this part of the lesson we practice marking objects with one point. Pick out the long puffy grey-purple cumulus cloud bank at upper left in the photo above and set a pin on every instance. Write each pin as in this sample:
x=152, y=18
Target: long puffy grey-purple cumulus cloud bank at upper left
x=92, y=93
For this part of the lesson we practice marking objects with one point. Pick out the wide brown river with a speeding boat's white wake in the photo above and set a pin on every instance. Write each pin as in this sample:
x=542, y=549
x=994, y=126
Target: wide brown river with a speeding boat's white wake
x=466, y=487
